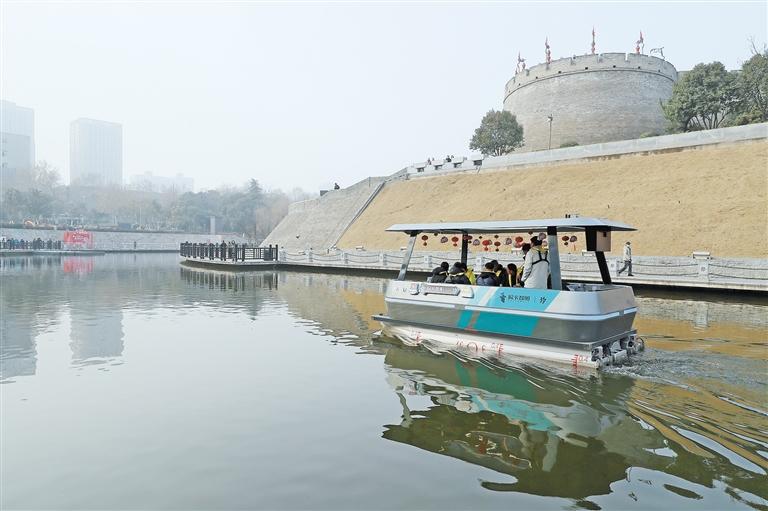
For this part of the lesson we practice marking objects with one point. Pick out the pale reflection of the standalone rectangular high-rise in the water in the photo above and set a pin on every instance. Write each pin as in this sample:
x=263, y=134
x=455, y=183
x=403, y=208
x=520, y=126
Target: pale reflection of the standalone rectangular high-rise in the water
x=96, y=333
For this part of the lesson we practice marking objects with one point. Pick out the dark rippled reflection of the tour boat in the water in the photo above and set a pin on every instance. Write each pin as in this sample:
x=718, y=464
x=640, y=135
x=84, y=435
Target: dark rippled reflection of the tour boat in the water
x=557, y=434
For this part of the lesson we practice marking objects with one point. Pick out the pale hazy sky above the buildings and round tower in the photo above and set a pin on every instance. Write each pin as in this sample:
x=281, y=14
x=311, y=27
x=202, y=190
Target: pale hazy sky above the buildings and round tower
x=305, y=94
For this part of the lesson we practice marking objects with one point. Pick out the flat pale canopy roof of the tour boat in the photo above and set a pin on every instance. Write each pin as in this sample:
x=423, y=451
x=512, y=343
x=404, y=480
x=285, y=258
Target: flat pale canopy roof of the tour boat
x=574, y=224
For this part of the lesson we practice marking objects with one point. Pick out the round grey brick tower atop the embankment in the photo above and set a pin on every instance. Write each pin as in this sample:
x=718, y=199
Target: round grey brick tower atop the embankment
x=591, y=98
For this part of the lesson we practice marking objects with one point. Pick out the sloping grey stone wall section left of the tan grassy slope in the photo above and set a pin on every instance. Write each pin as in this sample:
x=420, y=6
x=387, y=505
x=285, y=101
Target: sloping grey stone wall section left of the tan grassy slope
x=318, y=223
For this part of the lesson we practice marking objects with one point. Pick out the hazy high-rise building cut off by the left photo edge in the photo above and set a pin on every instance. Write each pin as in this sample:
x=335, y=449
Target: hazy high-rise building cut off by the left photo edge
x=17, y=142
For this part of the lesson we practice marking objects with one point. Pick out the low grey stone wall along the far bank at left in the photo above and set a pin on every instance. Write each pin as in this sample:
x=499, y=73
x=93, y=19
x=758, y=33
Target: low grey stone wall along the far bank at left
x=109, y=241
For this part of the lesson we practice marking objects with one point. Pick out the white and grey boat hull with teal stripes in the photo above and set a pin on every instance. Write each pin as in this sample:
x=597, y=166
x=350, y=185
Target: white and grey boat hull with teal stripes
x=590, y=328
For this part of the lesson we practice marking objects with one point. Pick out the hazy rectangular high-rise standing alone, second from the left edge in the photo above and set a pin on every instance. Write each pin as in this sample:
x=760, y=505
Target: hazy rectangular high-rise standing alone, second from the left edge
x=95, y=153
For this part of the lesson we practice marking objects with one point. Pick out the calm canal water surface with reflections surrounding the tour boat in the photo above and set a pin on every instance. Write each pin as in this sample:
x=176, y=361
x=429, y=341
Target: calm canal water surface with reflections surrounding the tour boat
x=131, y=382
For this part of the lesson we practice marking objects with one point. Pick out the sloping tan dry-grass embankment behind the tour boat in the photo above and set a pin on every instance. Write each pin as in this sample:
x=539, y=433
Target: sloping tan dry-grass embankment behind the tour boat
x=707, y=198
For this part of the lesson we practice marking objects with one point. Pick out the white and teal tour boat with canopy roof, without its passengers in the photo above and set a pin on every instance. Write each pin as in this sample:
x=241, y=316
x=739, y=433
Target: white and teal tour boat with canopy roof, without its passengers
x=585, y=325
